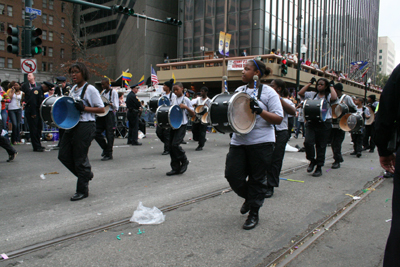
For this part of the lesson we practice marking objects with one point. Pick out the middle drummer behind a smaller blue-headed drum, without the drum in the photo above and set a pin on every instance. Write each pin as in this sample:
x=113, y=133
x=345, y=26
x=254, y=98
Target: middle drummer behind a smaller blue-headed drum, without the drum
x=179, y=161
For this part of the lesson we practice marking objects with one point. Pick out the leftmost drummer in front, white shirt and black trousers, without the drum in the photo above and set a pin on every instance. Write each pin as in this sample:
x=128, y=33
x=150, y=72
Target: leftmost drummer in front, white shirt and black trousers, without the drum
x=75, y=143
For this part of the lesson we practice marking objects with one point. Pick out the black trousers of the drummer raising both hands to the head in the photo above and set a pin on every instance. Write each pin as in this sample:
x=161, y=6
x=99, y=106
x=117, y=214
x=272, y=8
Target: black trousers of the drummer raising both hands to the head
x=317, y=135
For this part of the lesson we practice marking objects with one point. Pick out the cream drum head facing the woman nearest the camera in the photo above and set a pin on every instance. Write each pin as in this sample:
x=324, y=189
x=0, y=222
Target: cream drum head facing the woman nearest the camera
x=240, y=117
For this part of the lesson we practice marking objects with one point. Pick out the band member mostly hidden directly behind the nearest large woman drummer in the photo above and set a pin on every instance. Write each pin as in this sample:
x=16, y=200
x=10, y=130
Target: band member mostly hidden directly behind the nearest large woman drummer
x=282, y=135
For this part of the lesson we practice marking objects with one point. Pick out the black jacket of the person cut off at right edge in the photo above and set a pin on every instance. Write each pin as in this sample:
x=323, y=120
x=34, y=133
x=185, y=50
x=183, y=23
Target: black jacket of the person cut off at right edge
x=388, y=112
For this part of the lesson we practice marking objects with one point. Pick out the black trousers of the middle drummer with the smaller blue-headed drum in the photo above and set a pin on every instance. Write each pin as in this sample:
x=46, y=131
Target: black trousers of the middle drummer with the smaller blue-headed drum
x=178, y=155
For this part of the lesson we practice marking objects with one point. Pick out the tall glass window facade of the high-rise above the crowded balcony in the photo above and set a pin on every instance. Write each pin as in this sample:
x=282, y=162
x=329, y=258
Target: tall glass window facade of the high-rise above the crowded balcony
x=336, y=32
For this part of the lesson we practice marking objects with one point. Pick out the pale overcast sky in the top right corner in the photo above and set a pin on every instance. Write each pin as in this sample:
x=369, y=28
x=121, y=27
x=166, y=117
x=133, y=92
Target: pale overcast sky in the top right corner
x=389, y=23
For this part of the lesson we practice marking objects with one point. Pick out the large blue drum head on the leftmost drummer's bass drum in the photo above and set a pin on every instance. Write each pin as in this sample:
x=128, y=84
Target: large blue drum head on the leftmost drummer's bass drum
x=64, y=113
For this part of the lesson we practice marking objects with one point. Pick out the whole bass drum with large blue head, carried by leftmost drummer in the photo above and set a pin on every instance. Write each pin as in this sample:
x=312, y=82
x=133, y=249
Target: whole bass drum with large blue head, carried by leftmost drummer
x=59, y=111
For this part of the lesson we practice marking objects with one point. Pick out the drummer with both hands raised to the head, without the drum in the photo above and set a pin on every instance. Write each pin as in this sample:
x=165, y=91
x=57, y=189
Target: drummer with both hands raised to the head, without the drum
x=317, y=132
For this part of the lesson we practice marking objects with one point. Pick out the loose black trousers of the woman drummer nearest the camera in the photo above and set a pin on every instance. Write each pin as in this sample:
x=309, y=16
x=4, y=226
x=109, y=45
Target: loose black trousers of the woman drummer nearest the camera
x=246, y=171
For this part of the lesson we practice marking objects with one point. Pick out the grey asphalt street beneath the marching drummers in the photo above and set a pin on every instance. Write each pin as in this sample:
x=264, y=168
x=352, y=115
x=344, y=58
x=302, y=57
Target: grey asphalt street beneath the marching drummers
x=207, y=233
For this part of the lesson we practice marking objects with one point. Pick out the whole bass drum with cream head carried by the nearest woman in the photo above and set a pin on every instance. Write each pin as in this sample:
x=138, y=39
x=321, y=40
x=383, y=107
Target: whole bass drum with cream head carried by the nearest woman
x=231, y=113
